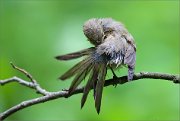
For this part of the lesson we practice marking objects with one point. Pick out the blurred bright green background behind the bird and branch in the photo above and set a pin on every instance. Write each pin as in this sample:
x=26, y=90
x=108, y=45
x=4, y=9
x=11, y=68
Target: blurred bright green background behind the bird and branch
x=33, y=32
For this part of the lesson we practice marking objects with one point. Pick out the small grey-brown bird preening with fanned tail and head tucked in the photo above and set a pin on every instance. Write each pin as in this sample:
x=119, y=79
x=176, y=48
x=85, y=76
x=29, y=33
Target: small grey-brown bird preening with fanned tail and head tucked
x=113, y=47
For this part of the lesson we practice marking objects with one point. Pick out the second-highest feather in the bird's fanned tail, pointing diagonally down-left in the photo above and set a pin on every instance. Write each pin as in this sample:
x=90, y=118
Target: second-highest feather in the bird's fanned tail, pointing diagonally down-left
x=76, y=68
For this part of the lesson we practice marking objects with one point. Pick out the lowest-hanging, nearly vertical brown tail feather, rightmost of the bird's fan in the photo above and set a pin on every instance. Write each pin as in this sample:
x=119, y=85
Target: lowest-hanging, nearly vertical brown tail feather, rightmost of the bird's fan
x=99, y=86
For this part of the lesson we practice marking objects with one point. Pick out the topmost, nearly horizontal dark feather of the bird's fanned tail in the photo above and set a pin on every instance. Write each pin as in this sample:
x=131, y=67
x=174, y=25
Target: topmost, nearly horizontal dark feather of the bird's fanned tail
x=75, y=54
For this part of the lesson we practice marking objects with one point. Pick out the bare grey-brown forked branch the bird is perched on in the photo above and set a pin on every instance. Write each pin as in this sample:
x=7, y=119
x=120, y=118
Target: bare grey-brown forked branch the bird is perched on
x=47, y=96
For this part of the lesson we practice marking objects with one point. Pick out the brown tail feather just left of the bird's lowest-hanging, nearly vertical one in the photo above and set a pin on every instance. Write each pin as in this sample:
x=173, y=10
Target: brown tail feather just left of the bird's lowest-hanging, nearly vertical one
x=92, y=78
